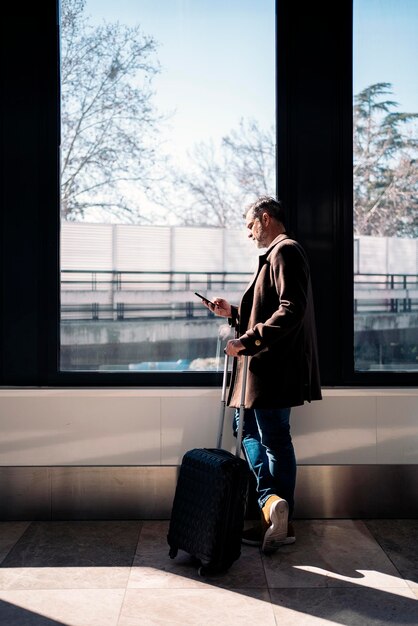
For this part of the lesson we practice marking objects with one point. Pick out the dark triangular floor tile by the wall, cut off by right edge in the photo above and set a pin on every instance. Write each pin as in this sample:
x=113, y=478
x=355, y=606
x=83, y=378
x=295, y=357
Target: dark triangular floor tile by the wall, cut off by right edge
x=398, y=538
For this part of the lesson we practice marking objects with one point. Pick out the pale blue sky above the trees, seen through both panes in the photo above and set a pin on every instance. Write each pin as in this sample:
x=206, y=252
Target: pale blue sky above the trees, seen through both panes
x=217, y=57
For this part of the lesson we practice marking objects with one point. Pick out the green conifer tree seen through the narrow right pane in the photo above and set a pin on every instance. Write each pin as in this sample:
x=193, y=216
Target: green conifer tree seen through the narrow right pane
x=385, y=165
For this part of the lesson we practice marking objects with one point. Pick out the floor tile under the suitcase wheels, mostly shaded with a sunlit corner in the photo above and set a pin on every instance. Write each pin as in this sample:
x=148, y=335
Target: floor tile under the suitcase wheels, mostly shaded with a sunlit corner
x=153, y=568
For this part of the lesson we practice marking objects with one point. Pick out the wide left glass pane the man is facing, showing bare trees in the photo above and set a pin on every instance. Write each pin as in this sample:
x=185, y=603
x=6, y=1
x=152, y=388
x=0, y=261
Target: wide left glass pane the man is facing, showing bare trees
x=168, y=132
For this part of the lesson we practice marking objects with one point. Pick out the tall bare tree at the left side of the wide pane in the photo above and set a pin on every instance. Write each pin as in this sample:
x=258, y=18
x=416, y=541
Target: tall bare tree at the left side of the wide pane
x=109, y=125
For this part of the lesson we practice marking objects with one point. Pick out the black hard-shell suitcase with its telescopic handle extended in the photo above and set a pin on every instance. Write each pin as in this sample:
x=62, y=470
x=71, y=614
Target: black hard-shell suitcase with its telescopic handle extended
x=207, y=518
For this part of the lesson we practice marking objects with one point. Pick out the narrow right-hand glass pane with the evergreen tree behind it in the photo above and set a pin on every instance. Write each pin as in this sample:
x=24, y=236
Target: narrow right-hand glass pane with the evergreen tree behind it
x=385, y=185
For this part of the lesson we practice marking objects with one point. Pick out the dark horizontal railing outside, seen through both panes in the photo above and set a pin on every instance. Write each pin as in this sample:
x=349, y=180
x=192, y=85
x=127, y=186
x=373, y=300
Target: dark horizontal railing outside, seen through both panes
x=117, y=295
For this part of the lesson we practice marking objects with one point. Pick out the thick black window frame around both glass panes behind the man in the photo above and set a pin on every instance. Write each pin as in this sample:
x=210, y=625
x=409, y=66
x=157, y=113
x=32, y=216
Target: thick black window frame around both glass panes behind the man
x=314, y=173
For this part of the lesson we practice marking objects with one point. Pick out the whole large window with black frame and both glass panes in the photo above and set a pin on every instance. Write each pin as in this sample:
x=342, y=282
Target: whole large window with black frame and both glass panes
x=164, y=107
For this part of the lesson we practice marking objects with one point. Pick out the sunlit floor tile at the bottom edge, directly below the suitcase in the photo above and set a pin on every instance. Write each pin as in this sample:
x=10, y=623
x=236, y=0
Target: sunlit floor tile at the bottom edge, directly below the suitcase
x=196, y=607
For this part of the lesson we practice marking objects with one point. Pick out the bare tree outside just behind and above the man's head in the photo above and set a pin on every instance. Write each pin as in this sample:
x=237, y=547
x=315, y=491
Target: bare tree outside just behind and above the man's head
x=222, y=180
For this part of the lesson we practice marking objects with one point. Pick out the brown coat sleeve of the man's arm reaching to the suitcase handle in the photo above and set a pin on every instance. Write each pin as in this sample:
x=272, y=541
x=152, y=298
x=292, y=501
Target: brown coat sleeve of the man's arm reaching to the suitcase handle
x=289, y=274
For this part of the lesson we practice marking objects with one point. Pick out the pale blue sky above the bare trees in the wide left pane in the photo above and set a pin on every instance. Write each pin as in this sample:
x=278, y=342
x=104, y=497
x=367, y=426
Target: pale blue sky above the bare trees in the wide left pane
x=217, y=61
